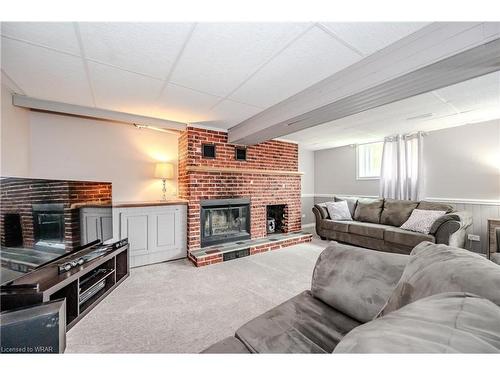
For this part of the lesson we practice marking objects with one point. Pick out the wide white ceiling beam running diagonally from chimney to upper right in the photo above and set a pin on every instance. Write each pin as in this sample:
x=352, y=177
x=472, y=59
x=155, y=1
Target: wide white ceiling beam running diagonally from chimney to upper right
x=406, y=68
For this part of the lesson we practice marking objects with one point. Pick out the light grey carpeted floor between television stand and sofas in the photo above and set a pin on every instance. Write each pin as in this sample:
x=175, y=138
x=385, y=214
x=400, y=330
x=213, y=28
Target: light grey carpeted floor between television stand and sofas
x=174, y=307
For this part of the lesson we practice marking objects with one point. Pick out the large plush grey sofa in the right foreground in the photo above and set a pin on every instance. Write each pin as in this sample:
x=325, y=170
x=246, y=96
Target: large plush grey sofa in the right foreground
x=439, y=299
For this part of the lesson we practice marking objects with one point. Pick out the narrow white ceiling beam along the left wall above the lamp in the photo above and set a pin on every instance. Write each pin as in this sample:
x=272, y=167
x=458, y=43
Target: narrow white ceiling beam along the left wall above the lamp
x=97, y=113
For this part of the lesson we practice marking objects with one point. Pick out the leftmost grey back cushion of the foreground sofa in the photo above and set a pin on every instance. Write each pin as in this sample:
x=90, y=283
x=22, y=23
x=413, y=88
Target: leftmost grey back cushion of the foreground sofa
x=356, y=281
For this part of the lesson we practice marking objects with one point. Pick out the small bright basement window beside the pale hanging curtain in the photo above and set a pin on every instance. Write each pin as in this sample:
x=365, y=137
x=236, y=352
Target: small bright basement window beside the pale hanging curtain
x=369, y=160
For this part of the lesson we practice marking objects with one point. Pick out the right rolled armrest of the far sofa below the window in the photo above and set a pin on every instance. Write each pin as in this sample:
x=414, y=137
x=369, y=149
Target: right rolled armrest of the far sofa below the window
x=450, y=229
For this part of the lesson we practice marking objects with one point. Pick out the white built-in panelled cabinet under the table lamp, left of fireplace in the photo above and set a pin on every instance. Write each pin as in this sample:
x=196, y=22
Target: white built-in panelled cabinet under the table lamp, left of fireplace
x=155, y=233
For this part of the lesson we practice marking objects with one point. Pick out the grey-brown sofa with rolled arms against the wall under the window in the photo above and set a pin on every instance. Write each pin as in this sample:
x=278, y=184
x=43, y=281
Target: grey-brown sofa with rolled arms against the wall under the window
x=376, y=224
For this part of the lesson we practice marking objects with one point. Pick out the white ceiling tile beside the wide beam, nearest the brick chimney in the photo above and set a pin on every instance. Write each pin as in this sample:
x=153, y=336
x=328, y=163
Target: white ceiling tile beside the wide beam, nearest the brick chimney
x=313, y=57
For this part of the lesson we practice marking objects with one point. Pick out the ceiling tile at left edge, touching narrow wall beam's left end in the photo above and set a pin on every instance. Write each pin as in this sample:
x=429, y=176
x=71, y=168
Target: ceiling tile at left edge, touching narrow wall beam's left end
x=55, y=76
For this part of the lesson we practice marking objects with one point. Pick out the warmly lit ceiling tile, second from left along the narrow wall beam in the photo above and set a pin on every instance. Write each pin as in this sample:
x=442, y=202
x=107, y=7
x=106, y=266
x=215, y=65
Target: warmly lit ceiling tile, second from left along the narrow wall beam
x=123, y=91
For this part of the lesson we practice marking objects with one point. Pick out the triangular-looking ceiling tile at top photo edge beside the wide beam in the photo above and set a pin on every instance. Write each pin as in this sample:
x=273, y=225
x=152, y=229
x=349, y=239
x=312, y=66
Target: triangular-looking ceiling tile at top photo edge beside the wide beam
x=369, y=37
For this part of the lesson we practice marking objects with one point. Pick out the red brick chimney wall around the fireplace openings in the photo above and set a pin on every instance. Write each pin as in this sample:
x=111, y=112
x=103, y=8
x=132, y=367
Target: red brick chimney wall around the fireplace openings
x=262, y=189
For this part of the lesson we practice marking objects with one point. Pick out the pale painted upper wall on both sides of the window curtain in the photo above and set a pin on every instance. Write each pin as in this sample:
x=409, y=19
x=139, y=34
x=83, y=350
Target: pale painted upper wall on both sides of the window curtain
x=461, y=162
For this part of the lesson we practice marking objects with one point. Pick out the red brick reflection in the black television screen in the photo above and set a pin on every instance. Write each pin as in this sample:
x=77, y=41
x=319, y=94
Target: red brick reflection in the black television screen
x=19, y=194
